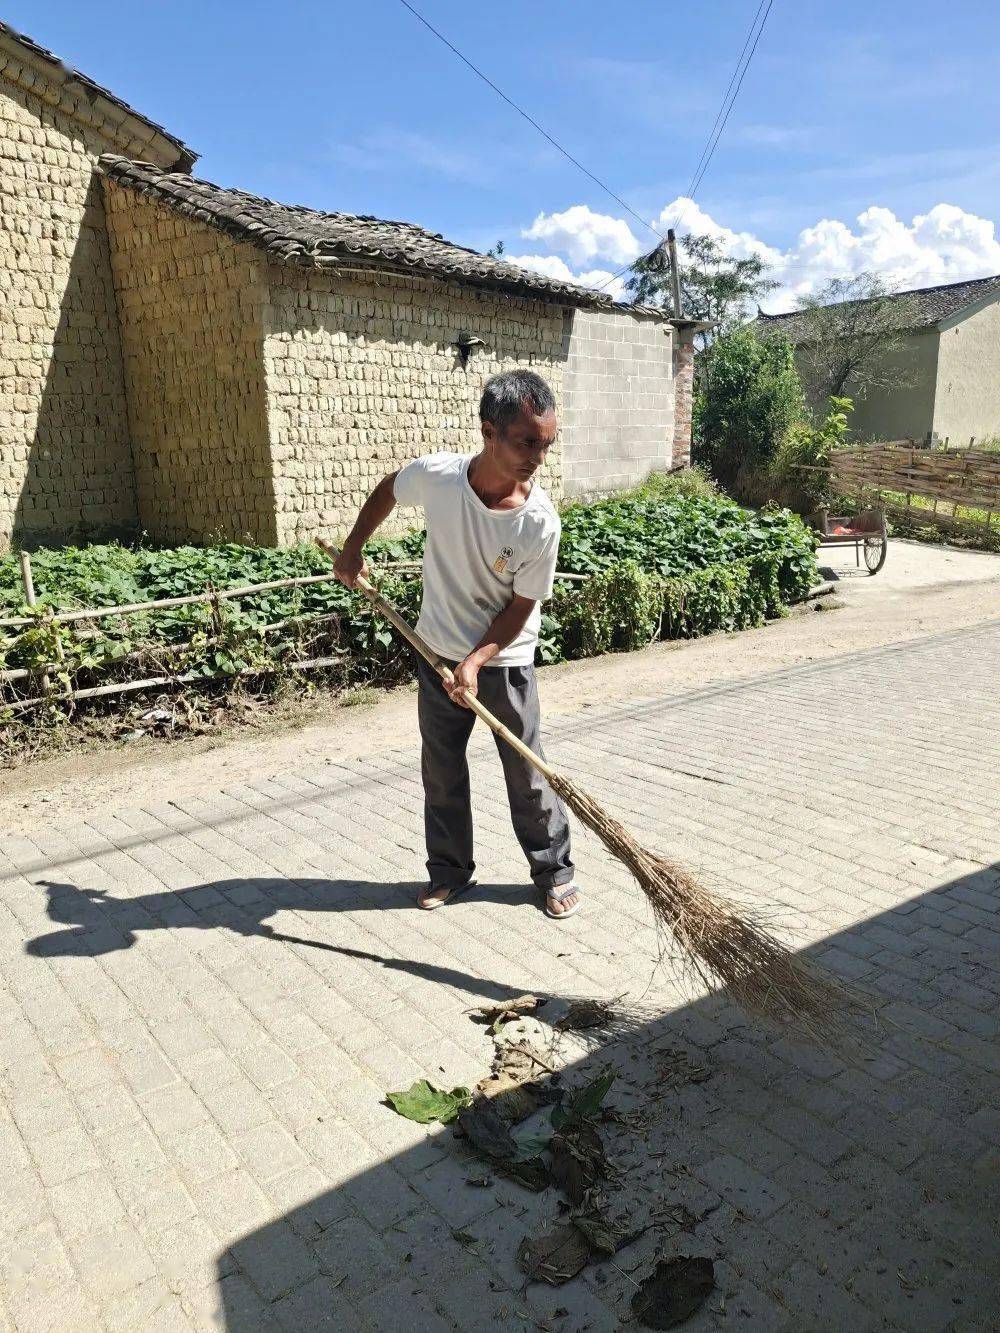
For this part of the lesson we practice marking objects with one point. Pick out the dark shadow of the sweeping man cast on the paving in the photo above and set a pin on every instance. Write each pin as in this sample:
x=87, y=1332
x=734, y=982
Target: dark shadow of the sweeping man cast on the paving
x=98, y=924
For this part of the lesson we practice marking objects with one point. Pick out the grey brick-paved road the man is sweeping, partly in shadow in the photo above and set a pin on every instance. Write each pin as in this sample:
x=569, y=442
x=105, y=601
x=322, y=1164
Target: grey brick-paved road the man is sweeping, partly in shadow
x=206, y=999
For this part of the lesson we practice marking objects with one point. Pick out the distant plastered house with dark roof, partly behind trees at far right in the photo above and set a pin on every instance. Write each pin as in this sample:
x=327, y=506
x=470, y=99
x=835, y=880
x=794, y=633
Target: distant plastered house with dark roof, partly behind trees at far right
x=943, y=375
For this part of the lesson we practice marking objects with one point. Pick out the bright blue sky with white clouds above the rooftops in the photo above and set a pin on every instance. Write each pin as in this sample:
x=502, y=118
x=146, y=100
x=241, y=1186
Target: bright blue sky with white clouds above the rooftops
x=886, y=113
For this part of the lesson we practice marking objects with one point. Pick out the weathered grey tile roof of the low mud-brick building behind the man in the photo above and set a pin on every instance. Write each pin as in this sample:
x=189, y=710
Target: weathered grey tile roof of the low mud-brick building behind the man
x=331, y=242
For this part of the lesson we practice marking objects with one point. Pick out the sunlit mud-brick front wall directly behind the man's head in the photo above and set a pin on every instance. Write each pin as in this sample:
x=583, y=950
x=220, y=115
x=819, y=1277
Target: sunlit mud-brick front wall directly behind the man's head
x=363, y=375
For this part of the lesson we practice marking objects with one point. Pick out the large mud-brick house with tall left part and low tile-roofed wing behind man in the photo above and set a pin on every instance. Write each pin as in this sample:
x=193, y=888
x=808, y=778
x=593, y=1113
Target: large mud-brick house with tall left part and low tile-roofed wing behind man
x=197, y=363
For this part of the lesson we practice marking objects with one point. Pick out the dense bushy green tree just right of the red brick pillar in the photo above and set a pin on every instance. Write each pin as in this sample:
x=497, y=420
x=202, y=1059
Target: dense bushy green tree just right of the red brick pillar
x=749, y=401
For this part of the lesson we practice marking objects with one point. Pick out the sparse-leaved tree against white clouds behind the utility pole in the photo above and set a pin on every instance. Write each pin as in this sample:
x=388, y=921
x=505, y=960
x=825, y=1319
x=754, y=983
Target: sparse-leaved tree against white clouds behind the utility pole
x=714, y=286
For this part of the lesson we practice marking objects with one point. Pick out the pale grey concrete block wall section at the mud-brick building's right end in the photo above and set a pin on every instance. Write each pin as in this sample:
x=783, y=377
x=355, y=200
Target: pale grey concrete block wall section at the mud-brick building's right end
x=618, y=421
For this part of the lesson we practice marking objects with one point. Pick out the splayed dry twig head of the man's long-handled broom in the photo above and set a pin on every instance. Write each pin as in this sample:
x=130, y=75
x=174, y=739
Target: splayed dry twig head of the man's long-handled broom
x=725, y=947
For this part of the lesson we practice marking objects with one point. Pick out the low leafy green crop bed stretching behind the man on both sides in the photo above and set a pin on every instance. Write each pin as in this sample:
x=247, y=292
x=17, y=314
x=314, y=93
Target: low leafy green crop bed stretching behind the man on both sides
x=674, y=559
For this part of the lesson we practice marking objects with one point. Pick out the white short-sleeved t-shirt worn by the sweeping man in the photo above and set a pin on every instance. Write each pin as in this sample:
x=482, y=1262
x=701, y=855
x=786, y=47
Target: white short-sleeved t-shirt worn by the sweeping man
x=477, y=561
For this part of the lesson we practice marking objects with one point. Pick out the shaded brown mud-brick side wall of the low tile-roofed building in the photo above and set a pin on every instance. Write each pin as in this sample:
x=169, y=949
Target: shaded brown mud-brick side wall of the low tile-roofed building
x=191, y=305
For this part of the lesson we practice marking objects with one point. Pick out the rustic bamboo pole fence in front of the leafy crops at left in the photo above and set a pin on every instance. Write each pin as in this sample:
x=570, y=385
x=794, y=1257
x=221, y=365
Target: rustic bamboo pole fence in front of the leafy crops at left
x=211, y=598
